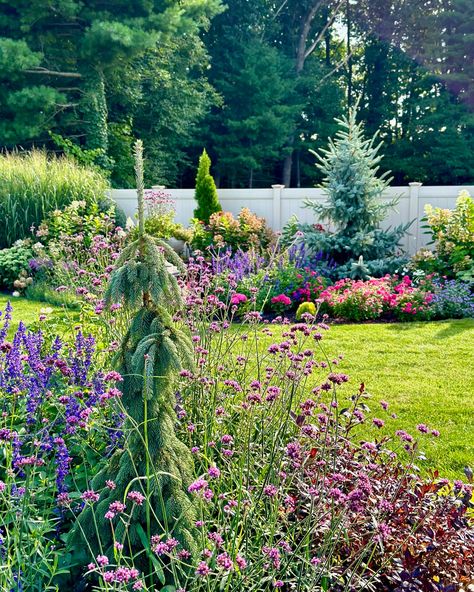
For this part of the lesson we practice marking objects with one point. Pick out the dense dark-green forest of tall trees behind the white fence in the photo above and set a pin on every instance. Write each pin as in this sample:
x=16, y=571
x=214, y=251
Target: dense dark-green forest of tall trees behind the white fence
x=256, y=82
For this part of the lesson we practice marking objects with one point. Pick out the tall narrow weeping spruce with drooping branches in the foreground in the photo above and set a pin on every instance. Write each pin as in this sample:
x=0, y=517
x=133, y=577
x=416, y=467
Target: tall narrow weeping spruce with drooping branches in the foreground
x=154, y=461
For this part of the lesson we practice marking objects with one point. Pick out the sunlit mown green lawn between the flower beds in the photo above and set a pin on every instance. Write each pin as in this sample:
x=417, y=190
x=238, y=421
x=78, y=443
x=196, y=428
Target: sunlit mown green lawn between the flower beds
x=424, y=370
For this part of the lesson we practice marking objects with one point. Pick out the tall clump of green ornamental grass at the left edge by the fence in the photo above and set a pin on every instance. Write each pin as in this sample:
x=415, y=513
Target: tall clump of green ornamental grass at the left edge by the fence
x=34, y=183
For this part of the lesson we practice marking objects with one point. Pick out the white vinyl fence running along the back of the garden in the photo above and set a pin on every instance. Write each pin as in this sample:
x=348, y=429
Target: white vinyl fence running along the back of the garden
x=278, y=203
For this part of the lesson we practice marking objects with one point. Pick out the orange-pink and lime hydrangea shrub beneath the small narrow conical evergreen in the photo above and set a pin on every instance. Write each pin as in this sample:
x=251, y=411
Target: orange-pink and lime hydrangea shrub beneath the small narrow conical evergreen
x=224, y=231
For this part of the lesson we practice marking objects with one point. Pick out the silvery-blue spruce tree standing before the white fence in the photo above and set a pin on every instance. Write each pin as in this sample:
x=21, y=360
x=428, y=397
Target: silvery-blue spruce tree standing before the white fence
x=354, y=210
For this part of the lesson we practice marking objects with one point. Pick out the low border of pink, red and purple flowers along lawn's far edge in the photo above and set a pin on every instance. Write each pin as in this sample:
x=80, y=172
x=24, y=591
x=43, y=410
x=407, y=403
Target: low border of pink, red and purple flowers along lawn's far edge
x=289, y=280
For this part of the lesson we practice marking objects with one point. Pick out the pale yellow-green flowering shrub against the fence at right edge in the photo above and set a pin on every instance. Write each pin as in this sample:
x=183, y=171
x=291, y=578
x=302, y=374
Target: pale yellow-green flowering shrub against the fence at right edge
x=452, y=234
